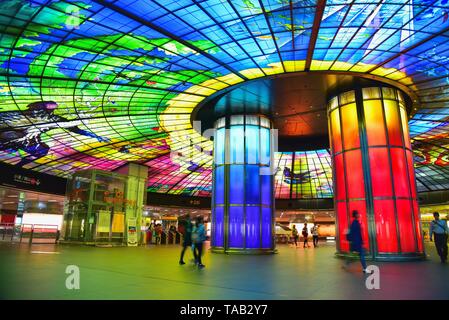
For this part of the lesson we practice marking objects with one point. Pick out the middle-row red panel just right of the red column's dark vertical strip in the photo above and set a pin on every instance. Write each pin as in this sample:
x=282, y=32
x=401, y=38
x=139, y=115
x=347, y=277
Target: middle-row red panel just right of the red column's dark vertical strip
x=380, y=172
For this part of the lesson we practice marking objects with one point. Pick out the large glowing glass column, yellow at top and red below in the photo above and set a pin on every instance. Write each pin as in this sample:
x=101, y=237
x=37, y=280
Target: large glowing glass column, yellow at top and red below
x=373, y=172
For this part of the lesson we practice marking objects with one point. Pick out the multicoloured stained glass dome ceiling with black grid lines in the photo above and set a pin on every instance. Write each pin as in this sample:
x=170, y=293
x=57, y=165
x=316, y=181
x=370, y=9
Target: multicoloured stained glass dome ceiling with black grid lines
x=96, y=84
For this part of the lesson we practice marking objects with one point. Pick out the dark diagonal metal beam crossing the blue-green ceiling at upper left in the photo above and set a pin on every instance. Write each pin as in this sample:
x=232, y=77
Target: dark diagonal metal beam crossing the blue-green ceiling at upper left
x=166, y=33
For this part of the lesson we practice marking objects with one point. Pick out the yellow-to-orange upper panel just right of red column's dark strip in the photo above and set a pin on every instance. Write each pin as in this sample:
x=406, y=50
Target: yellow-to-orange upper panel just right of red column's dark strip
x=374, y=122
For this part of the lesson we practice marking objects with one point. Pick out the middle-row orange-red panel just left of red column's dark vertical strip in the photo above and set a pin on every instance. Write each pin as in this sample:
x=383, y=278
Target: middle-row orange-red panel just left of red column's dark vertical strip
x=354, y=176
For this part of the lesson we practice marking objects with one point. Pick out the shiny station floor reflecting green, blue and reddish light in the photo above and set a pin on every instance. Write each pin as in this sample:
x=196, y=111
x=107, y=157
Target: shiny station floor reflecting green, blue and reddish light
x=38, y=272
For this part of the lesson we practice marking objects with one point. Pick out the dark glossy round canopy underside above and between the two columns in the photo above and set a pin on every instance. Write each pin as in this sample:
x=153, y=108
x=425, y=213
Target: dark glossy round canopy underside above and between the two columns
x=296, y=103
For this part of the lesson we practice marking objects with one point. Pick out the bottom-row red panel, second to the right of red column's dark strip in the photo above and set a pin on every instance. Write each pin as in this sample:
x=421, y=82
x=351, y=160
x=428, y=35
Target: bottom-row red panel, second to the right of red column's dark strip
x=406, y=230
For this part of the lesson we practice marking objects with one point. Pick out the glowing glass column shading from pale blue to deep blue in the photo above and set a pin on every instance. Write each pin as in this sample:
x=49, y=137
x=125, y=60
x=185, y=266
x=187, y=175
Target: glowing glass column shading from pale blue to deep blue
x=243, y=198
